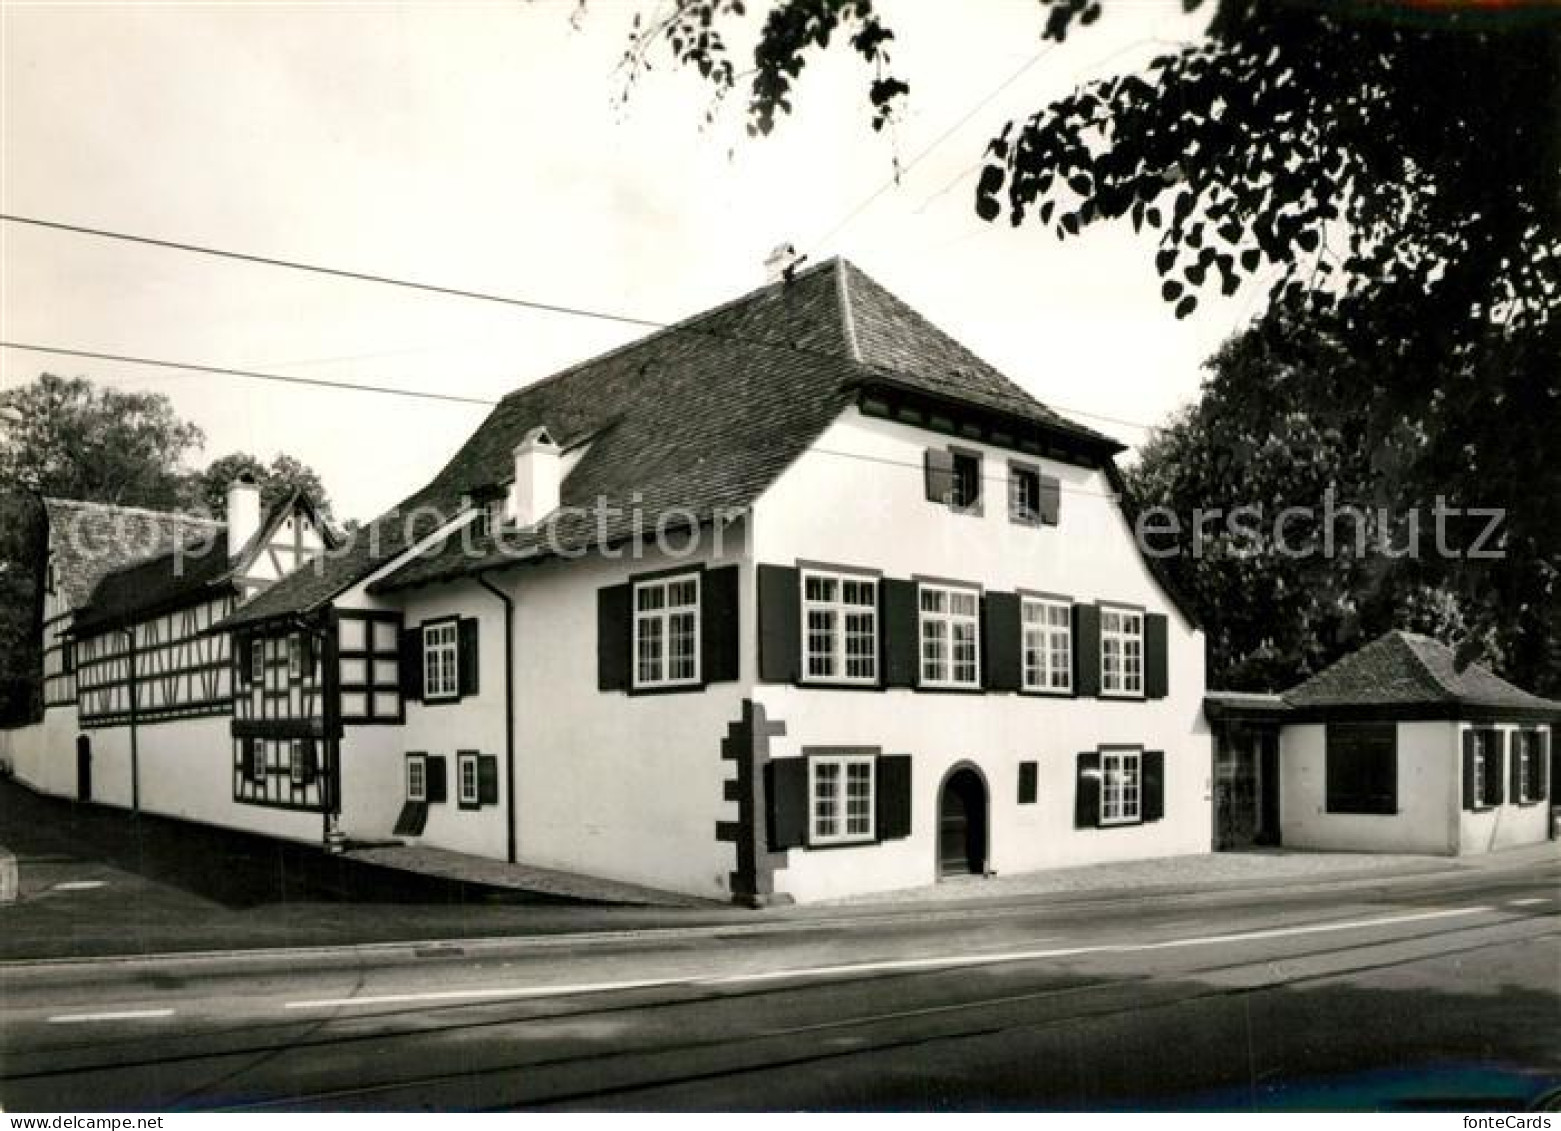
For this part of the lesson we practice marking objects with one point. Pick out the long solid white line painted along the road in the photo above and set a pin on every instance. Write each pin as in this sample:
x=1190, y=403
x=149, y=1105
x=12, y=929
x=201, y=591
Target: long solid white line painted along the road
x=887, y=966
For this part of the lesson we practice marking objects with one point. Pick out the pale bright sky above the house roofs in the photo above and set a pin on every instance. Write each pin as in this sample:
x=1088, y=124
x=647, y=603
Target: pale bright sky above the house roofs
x=486, y=147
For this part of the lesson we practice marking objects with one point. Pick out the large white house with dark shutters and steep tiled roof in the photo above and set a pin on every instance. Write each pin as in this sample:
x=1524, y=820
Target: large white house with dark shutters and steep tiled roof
x=791, y=601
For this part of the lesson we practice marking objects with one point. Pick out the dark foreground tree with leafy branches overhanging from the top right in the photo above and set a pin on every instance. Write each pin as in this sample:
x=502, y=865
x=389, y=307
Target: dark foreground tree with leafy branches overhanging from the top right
x=1392, y=168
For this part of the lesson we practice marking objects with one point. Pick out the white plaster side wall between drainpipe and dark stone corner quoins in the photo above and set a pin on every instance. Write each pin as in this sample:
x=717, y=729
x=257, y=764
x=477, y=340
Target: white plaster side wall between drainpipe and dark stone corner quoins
x=613, y=784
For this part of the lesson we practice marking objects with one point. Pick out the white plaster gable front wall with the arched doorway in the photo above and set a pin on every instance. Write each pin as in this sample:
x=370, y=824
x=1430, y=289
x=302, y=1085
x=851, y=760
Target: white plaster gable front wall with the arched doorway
x=856, y=498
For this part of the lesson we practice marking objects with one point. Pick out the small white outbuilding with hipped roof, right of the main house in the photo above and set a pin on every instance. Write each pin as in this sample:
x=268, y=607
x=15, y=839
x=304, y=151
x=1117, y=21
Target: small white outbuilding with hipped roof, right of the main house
x=1392, y=750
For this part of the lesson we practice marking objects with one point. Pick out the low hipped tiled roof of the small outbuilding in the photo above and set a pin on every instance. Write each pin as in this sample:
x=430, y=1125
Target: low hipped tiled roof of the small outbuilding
x=1407, y=670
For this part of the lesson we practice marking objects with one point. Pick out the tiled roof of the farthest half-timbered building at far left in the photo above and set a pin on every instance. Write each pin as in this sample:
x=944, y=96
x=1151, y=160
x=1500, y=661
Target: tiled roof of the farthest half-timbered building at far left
x=96, y=539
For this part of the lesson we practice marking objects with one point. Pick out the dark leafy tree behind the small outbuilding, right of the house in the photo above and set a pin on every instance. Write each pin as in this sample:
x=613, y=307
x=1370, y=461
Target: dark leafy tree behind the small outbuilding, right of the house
x=1334, y=548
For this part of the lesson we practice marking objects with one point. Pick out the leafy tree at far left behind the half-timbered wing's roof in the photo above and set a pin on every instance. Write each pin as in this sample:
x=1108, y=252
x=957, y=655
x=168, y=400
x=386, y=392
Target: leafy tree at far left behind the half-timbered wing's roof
x=68, y=438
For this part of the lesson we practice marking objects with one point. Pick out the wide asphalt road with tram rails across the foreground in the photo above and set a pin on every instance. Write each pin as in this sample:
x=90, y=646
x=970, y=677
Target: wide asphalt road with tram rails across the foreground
x=1432, y=993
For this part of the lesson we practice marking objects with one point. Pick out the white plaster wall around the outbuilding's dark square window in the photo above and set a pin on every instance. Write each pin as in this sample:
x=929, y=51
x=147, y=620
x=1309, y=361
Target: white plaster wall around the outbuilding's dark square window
x=1429, y=787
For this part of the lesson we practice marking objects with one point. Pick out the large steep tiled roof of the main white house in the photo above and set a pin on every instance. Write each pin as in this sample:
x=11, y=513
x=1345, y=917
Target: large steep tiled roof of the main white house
x=699, y=419
